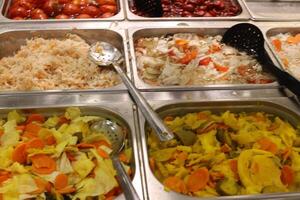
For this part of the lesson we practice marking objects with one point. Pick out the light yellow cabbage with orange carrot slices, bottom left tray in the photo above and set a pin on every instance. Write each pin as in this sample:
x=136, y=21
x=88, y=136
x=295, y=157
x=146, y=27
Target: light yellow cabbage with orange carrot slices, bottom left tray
x=57, y=157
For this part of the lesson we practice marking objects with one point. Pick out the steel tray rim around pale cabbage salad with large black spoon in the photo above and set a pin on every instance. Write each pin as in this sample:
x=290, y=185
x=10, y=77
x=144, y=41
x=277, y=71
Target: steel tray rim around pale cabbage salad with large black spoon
x=137, y=33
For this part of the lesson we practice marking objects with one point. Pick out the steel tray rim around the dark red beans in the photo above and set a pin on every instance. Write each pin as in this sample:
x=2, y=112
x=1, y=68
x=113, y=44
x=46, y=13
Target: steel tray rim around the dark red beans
x=131, y=16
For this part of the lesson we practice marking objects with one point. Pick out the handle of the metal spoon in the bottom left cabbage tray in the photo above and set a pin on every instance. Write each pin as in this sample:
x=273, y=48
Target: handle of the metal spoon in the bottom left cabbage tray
x=128, y=189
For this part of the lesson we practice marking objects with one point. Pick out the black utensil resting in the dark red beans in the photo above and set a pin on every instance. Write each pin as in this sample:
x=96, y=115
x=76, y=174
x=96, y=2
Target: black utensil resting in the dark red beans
x=151, y=7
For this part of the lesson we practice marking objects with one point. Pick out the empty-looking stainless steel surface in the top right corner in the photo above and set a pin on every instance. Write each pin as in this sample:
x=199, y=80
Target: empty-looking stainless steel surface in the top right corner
x=273, y=10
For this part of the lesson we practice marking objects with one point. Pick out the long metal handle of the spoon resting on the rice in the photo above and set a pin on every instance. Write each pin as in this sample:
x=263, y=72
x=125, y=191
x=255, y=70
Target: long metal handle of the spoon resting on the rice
x=163, y=133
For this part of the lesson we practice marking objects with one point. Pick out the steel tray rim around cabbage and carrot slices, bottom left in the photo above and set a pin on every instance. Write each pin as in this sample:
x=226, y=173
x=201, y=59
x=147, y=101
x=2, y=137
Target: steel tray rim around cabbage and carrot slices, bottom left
x=121, y=110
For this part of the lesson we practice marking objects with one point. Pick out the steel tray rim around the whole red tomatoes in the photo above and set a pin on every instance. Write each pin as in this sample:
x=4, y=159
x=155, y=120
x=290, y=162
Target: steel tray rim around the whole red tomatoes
x=4, y=6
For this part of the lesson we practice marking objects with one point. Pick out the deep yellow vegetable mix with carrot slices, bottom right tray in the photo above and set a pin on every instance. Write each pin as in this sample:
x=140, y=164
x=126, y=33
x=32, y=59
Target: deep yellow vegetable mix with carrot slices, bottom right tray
x=233, y=154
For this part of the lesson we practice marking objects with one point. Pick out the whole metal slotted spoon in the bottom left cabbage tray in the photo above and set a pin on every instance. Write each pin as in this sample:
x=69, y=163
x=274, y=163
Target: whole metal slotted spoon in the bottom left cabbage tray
x=117, y=139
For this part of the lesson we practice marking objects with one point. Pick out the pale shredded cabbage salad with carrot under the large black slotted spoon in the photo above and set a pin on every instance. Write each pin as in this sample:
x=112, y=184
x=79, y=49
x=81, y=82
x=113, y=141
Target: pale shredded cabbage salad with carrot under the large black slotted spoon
x=191, y=59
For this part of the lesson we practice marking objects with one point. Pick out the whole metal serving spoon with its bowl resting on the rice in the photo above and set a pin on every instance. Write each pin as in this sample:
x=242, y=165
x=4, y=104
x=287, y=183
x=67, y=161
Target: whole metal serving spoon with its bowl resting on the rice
x=104, y=54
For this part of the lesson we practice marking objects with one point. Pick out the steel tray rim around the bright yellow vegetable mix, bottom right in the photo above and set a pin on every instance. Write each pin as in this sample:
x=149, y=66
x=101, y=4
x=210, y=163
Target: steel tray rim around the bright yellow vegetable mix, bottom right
x=282, y=107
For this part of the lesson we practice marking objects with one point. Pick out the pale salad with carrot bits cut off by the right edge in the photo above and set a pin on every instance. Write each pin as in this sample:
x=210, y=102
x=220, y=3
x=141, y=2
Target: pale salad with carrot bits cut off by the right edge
x=287, y=46
